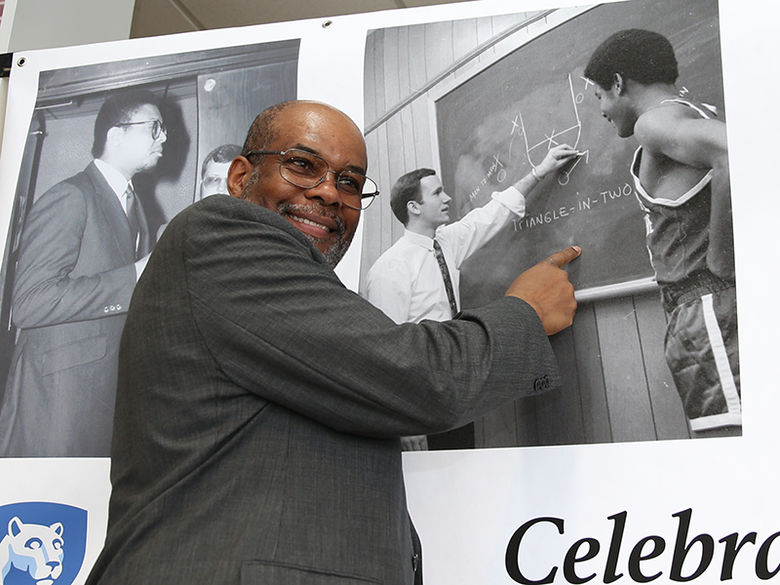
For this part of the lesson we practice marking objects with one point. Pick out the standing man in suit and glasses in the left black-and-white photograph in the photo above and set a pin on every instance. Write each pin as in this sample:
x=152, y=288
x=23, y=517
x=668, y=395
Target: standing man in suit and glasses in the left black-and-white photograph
x=84, y=244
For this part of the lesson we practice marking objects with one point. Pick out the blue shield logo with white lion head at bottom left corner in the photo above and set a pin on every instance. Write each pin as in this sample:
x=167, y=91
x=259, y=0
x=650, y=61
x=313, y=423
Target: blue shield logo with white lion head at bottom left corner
x=41, y=543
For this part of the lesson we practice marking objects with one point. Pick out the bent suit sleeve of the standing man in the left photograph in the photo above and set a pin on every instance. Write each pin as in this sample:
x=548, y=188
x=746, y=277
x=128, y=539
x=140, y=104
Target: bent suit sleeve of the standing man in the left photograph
x=53, y=283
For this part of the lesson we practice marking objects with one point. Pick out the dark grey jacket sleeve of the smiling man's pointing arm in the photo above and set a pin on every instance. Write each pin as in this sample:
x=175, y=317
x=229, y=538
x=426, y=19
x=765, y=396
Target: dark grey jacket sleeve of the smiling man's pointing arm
x=280, y=324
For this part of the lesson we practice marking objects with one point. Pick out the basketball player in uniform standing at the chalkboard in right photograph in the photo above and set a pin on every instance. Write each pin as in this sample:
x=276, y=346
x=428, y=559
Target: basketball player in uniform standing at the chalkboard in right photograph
x=681, y=177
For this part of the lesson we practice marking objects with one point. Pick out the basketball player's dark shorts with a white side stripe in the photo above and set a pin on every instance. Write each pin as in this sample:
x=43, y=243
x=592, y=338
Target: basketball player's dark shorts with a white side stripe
x=702, y=353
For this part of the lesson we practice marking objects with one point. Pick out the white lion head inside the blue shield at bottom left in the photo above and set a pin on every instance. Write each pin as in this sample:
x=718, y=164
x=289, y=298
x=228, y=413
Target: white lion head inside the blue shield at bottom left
x=35, y=549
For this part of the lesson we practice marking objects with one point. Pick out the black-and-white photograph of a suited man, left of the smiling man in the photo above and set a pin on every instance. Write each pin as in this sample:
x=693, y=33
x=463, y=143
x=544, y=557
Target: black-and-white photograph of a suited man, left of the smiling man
x=114, y=151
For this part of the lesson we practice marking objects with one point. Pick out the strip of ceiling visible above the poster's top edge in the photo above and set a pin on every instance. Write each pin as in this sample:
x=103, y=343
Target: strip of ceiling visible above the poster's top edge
x=159, y=17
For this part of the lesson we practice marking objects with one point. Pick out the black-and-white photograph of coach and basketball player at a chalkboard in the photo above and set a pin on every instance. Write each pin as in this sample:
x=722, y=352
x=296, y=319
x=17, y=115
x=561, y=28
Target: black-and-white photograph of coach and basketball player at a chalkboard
x=504, y=139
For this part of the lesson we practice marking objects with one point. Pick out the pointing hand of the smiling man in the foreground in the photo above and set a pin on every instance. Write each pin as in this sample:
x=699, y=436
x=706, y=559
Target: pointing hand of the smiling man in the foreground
x=547, y=289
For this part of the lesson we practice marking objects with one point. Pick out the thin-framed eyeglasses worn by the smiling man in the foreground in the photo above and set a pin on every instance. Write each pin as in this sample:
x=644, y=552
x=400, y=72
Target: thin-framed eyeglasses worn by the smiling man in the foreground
x=307, y=170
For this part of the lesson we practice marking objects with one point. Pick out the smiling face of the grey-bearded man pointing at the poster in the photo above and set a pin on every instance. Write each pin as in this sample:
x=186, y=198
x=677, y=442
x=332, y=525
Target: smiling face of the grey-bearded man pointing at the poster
x=319, y=213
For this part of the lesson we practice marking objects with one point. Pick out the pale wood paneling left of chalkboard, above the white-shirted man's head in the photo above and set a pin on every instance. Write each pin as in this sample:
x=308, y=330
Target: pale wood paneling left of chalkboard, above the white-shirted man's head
x=401, y=63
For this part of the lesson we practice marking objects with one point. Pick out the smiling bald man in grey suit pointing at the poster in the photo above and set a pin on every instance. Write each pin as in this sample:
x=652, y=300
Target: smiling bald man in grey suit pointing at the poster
x=261, y=403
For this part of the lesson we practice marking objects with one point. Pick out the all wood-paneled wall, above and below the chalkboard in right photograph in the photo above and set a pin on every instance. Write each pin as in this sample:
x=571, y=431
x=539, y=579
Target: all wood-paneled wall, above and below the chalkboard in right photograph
x=616, y=383
